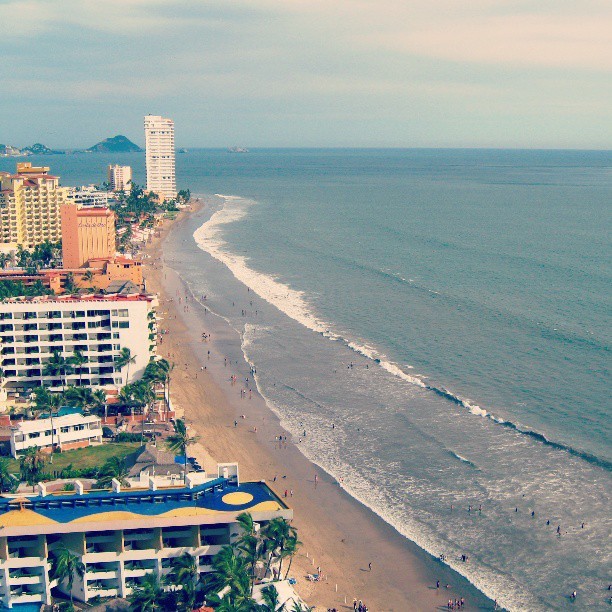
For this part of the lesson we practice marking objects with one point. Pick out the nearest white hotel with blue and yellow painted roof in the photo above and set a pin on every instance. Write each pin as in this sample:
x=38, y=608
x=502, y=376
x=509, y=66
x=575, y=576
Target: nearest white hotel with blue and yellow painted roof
x=124, y=534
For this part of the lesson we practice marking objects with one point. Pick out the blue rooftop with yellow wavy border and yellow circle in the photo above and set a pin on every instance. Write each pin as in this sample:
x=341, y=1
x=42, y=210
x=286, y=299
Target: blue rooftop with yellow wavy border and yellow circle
x=213, y=497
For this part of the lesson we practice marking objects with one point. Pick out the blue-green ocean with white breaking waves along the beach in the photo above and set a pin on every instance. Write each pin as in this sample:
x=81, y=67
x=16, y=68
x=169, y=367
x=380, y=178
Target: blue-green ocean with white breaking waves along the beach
x=437, y=322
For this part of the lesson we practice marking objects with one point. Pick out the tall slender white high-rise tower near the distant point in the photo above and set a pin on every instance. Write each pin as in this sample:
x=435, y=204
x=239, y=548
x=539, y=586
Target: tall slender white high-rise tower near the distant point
x=159, y=142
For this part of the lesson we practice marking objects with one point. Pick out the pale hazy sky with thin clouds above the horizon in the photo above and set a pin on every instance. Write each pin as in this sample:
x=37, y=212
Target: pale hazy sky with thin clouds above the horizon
x=500, y=73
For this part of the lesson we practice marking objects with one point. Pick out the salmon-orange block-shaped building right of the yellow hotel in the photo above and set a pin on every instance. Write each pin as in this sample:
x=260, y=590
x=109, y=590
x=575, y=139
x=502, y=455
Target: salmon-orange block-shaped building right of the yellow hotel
x=87, y=233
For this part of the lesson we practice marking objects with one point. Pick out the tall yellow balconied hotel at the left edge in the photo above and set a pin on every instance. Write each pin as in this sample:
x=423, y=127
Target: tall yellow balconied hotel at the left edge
x=30, y=202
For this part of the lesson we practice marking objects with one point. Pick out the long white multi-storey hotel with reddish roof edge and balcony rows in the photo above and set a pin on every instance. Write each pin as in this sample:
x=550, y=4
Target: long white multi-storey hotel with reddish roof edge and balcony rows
x=99, y=326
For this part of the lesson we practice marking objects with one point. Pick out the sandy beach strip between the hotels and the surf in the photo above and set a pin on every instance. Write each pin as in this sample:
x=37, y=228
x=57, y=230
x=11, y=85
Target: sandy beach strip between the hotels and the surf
x=338, y=534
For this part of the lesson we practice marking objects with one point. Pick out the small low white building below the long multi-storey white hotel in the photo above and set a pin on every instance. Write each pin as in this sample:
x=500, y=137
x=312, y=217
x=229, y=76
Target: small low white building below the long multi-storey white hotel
x=62, y=432
